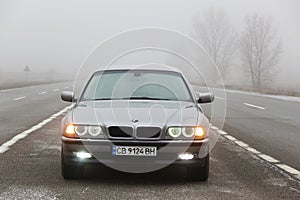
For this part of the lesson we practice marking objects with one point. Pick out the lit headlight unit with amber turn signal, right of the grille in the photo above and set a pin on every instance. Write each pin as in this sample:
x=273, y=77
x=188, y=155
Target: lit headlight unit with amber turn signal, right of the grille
x=196, y=132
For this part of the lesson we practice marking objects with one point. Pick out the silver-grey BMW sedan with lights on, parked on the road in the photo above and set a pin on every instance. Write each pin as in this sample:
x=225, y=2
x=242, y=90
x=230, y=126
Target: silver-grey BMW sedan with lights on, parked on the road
x=136, y=119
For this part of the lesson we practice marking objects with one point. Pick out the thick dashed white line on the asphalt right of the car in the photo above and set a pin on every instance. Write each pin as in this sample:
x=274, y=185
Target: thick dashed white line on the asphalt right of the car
x=294, y=172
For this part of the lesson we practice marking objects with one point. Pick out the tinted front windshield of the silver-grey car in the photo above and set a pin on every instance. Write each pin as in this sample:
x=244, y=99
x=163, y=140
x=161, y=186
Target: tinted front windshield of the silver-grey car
x=137, y=84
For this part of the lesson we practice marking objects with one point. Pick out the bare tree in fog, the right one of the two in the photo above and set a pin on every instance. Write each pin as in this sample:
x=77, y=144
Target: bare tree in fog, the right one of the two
x=260, y=49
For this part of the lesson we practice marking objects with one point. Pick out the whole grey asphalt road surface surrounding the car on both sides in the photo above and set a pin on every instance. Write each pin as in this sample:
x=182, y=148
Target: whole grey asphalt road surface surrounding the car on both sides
x=30, y=169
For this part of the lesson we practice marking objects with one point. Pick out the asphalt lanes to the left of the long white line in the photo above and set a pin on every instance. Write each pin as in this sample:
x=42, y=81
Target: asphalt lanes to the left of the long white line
x=23, y=108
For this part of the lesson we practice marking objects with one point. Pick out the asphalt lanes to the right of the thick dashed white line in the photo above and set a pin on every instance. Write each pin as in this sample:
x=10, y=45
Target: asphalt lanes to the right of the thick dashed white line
x=270, y=125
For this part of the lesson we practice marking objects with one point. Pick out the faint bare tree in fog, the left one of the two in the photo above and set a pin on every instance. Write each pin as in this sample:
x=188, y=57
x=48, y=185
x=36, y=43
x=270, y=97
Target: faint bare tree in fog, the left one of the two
x=214, y=31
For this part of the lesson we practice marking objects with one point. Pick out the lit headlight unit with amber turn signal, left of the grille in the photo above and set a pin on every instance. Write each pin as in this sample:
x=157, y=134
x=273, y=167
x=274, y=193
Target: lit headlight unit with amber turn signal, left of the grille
x=82, y=130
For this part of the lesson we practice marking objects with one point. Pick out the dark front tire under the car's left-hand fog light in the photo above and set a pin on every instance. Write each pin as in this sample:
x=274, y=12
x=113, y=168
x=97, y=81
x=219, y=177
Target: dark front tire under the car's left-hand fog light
x=71, y=171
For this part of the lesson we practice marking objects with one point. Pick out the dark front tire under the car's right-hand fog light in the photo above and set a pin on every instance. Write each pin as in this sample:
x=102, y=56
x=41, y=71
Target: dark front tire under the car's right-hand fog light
x=199, y=173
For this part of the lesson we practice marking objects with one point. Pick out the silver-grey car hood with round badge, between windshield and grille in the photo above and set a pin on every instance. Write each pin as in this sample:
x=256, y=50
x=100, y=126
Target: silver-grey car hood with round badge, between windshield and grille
x=138, y=112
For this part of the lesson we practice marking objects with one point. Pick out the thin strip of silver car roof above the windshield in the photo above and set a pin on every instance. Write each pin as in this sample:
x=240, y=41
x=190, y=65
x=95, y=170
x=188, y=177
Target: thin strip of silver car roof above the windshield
x=156, y=67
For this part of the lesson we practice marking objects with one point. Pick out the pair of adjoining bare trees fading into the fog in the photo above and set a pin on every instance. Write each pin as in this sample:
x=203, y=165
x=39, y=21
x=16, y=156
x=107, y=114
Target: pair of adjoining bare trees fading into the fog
x=256, y=46
